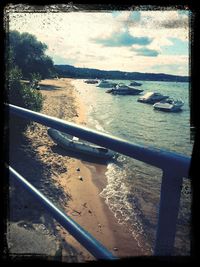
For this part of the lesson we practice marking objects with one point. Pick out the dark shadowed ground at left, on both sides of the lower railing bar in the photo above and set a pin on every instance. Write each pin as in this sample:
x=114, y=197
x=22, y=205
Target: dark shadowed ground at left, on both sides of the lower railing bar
x=21, y=203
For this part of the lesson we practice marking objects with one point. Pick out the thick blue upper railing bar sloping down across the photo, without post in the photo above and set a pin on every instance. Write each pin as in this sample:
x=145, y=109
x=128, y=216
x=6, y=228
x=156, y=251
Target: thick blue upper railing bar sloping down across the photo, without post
x=157, y=157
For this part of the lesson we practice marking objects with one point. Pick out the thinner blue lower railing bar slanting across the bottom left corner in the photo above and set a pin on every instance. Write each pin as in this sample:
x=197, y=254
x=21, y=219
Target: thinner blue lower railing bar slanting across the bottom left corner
x=83, y=237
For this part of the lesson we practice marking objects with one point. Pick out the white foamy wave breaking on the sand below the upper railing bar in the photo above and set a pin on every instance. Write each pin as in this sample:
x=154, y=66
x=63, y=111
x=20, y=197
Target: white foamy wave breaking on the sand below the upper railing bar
x=121, y=202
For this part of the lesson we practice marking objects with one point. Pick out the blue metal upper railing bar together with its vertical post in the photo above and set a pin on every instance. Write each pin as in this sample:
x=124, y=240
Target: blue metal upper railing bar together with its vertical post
x=173, y=165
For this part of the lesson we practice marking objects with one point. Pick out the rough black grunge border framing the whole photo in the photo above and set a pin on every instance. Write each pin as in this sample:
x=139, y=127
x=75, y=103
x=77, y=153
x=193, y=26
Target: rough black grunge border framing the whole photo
x=194, y=69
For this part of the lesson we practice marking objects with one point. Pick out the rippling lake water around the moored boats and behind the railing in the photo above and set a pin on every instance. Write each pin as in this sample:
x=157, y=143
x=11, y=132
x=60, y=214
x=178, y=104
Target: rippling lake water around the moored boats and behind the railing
x=133, y=188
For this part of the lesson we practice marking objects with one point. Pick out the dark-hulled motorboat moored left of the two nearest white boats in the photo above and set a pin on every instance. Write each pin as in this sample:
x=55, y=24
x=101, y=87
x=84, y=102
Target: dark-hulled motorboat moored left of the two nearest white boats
x=122, y=89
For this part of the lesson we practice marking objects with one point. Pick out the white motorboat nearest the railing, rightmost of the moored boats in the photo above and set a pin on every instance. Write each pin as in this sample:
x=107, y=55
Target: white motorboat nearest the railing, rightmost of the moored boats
x=169, y=105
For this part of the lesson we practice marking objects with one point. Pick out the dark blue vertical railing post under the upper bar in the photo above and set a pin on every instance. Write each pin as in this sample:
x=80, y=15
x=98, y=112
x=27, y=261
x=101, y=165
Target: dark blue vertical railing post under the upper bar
x=168, y=212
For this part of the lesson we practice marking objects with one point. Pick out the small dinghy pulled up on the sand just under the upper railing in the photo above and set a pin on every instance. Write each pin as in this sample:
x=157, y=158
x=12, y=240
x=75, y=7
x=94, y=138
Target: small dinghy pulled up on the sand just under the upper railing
x=74, y=144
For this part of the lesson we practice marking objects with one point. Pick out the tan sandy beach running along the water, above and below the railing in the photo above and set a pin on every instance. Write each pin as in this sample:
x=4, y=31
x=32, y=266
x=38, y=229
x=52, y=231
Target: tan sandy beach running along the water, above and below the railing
x=79, y=181
